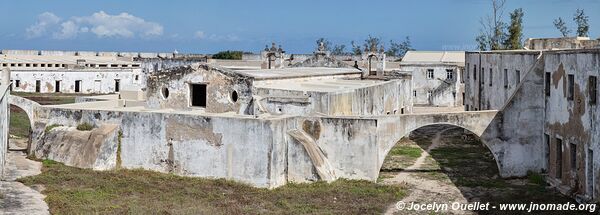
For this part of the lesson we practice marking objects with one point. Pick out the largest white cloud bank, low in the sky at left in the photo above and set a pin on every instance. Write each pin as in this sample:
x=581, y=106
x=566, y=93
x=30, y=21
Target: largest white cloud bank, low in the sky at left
x=101, y=24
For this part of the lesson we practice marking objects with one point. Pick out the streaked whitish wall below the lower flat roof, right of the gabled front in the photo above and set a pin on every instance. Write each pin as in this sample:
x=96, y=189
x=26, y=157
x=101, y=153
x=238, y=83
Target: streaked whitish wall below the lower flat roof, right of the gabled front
x=392, y=97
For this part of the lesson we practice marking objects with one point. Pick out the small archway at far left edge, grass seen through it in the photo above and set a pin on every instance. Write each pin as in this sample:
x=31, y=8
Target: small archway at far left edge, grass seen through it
x=20, y=131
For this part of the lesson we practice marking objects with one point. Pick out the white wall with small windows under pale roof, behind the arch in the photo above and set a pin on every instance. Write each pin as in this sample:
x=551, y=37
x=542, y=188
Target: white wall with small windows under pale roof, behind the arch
x=437, y=91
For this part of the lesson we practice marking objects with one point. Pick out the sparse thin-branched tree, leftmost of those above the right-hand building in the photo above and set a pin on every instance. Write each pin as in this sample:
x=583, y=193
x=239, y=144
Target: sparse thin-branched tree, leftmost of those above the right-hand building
x=492, y=27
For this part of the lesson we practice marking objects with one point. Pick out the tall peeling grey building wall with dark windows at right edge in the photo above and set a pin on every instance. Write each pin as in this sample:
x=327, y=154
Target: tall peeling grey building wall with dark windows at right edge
x=538, y=118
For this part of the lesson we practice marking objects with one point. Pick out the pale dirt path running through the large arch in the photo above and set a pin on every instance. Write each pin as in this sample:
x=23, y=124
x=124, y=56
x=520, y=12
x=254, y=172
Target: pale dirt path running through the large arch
x=424, y=190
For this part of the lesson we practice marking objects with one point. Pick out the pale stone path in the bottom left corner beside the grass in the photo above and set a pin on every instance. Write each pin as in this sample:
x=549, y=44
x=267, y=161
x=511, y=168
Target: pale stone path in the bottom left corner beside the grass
x=16, y=198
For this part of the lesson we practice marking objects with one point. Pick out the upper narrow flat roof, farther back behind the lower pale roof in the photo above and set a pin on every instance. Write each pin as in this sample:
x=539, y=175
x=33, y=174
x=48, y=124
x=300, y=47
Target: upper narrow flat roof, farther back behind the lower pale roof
x=296, y=72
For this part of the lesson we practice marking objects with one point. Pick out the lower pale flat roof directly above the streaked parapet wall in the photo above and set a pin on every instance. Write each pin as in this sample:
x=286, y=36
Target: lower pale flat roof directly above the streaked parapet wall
x=332, y=85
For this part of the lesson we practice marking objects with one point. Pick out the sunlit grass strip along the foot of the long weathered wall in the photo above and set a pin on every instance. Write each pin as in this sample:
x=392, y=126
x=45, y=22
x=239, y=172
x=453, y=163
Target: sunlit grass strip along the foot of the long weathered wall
x=78, y=191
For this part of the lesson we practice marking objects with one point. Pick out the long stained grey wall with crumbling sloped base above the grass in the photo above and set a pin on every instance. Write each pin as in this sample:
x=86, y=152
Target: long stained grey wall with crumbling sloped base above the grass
x=244, y=149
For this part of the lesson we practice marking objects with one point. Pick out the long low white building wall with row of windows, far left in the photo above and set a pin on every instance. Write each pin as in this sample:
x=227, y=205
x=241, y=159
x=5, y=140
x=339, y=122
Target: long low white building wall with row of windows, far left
x=99, y=81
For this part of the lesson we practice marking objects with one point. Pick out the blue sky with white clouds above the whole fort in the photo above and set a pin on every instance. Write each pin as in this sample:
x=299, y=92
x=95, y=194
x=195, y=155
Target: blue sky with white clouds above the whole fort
x=210, y=26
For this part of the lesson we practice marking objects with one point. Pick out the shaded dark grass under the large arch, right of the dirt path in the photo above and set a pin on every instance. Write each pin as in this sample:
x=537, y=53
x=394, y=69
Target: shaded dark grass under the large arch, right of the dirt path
x=463, y=161
